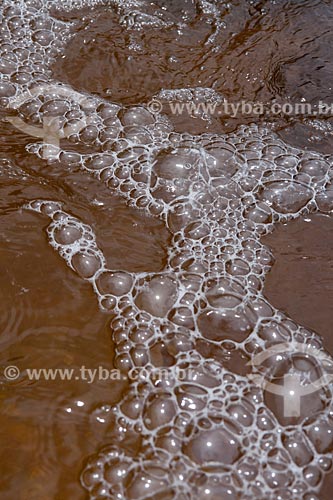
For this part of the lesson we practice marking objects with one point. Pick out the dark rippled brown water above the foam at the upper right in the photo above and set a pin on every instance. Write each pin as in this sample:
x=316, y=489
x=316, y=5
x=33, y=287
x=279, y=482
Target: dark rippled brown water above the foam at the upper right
x=261, y=51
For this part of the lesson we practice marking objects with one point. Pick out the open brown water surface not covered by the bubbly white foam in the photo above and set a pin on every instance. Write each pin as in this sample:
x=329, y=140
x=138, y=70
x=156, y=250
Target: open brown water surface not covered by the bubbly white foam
x=49, y=316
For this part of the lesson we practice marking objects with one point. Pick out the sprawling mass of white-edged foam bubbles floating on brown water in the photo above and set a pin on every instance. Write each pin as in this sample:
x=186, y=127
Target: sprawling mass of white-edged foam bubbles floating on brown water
x=215, y=432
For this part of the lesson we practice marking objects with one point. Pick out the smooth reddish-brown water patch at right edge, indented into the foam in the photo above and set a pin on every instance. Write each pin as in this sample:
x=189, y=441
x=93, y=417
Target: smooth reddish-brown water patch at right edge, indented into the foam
x=300, y=282
